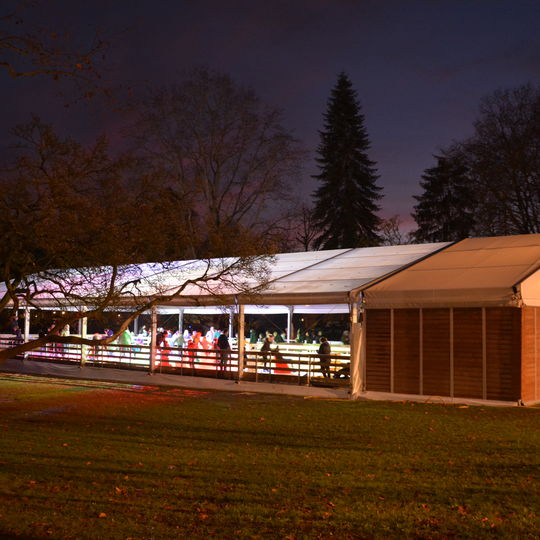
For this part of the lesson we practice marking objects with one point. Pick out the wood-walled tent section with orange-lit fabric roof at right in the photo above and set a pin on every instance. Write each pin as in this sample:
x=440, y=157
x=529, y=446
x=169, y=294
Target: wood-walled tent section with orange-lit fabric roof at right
x=464, y=322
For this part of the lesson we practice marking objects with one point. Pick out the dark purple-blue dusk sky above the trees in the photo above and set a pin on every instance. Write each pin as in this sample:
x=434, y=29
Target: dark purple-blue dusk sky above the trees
x=419, y=67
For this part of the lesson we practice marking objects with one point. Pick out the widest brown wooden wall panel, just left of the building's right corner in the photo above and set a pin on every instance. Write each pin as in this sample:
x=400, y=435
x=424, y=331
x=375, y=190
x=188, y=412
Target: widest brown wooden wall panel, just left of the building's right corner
x=503, y=349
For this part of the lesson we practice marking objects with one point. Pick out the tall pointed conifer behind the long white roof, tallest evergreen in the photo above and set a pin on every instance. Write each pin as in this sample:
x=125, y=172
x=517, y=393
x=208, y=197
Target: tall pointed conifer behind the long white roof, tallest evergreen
x=346, y=200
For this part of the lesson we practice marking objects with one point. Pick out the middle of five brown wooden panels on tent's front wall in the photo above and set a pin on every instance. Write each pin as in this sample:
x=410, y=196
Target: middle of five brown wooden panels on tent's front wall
x=436, y=352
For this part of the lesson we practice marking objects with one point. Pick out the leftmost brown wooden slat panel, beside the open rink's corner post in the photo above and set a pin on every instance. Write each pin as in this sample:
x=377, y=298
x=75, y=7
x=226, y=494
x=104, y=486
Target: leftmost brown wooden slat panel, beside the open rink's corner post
x=378, y=350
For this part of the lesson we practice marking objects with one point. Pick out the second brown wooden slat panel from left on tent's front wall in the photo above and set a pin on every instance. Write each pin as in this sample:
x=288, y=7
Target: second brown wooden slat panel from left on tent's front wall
x=407, y=351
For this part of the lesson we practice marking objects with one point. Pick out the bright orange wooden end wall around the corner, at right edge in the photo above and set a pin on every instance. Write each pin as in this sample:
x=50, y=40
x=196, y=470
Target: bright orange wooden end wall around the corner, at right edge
x=530, y=365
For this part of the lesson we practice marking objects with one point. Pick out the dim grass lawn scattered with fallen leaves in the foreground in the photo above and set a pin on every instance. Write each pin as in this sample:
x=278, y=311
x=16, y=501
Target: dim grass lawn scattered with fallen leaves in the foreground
x=91, y=460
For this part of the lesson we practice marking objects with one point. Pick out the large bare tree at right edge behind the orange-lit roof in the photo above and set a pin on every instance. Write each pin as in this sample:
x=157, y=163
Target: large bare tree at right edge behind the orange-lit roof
x=504, y=162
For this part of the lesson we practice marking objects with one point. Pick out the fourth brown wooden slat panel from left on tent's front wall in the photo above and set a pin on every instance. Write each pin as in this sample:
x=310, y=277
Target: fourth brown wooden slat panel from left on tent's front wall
x=468, y=356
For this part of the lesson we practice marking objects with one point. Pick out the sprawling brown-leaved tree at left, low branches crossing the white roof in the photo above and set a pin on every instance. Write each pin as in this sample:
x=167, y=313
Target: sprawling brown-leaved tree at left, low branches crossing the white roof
x=75, y=224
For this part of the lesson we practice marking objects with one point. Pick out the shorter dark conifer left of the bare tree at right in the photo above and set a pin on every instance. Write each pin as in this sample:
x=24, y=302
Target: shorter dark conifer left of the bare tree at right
x=445, y=210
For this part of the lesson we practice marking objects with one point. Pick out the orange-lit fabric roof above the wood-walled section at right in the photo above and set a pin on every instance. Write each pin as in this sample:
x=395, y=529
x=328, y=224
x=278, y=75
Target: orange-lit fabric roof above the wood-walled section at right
x=472, y=272
